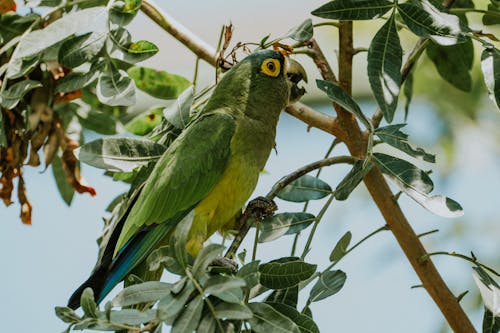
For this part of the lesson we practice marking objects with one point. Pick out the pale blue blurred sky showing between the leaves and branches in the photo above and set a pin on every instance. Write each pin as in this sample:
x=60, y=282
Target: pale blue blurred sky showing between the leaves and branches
x=44, y=263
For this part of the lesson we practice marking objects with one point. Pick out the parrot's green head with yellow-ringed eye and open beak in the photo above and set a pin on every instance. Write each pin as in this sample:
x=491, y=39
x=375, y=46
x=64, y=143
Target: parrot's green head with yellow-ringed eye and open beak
x=264, y=82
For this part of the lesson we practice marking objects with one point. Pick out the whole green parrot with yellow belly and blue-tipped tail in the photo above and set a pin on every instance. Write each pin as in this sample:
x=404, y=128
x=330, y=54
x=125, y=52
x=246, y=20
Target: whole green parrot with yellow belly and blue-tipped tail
x=208, y=172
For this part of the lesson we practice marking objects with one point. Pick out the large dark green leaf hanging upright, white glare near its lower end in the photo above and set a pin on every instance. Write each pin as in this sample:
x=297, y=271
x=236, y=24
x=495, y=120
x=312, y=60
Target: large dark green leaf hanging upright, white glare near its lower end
x=384, y=67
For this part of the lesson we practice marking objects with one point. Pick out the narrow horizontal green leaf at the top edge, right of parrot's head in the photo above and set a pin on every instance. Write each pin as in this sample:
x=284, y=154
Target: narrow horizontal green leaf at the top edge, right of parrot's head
x=353, y=9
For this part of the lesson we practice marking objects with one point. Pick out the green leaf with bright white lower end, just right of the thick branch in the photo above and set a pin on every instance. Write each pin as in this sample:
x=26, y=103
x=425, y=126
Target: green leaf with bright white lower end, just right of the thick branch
x=417, y=185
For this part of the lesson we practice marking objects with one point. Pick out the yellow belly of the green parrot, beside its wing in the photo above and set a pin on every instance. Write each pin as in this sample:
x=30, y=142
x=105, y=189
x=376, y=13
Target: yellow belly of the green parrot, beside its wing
x=222, y=204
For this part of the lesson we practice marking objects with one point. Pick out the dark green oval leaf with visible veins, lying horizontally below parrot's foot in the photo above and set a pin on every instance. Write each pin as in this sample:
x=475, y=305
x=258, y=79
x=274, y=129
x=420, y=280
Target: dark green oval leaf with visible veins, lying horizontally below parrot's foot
x=285, y=272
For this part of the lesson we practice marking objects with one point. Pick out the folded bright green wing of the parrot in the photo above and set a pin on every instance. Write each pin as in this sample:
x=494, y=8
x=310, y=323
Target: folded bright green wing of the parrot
x=184, y=175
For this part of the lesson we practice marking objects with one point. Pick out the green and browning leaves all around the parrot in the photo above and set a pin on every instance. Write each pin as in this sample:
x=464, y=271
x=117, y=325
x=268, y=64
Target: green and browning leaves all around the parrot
x=75, y=68
